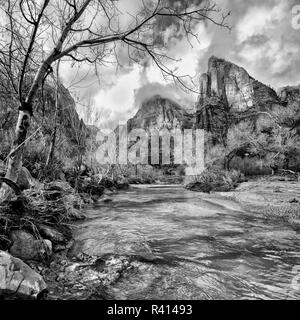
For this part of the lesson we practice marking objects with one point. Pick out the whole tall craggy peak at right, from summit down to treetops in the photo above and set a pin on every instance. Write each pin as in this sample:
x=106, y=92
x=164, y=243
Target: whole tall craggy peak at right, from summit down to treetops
x=228, y=95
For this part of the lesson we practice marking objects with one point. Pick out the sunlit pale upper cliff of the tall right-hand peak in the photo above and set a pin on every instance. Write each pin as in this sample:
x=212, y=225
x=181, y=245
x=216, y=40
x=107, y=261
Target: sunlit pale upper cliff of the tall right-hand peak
x=234, y=86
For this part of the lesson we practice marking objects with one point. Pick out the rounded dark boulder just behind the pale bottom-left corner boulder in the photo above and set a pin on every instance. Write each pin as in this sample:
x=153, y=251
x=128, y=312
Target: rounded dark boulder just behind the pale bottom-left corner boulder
x=26, y=247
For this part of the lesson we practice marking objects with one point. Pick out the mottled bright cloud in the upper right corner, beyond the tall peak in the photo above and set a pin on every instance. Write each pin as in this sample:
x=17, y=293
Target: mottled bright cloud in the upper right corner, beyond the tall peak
x=268, y=45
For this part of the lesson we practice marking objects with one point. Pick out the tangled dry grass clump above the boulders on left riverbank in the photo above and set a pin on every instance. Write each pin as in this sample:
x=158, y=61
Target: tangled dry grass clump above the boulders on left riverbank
x=33, y=208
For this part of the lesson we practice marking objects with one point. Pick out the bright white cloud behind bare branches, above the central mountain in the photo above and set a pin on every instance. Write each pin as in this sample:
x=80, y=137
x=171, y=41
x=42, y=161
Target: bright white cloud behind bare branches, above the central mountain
x=117, y=102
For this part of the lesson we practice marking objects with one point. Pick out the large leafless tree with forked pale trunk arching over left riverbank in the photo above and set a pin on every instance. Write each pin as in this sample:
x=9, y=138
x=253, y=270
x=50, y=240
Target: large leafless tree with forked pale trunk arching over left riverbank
x=36, y=34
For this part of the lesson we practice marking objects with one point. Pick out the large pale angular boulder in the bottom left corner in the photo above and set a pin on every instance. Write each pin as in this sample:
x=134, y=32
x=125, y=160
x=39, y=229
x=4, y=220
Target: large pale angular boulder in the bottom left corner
x=18, y=280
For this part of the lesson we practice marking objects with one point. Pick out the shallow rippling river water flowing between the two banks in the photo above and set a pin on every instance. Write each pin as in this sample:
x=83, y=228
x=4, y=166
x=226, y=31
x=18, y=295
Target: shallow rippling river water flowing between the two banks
x=187, y=245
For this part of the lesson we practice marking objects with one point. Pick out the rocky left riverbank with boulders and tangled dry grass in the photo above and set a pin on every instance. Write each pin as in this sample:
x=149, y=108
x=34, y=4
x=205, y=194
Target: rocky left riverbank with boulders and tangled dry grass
x=36, y=235
